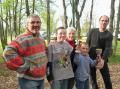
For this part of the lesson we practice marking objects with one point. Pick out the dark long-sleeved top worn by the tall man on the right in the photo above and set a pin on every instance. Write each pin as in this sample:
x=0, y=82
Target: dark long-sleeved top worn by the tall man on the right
x=93, y=41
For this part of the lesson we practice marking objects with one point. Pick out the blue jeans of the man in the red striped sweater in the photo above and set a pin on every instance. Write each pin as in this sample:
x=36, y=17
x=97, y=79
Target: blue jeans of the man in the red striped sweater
x=30, y=84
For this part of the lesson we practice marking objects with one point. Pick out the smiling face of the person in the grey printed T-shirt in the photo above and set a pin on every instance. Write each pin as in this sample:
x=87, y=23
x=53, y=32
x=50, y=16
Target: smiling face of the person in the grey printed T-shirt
x=61, y=35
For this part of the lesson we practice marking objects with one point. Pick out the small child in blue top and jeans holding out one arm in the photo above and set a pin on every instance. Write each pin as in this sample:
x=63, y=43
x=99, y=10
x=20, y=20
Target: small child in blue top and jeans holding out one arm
x=83, y=62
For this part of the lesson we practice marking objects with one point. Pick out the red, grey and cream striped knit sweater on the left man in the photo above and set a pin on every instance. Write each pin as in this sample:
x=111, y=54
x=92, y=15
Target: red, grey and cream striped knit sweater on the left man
x=27, y=55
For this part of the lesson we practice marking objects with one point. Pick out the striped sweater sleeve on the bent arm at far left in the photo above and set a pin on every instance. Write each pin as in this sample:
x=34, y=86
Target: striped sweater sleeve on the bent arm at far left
x=13, y=59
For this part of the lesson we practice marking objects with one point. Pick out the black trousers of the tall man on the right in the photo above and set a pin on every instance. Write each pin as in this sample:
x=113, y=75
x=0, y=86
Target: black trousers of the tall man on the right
x=105, y=75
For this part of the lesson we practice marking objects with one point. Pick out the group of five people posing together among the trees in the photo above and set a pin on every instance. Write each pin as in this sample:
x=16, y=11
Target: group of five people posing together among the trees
x=61, y=62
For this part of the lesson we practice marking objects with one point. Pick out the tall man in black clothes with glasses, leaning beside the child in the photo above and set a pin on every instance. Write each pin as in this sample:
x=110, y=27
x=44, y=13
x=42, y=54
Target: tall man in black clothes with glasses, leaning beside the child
x=101, y=38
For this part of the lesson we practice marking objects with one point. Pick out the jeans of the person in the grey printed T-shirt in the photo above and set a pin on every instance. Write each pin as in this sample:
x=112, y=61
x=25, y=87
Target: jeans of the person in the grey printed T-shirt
x=59, y=84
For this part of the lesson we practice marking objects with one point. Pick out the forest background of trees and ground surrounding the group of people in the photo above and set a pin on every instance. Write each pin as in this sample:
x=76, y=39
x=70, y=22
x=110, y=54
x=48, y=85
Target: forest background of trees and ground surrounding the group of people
x=80, y=14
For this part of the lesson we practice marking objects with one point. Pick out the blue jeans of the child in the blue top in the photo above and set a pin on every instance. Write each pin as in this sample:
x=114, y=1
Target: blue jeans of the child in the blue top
x=82, y=84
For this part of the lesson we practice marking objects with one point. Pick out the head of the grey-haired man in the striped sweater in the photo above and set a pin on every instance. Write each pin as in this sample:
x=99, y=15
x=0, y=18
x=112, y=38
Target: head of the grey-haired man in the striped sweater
x=33, y=24
